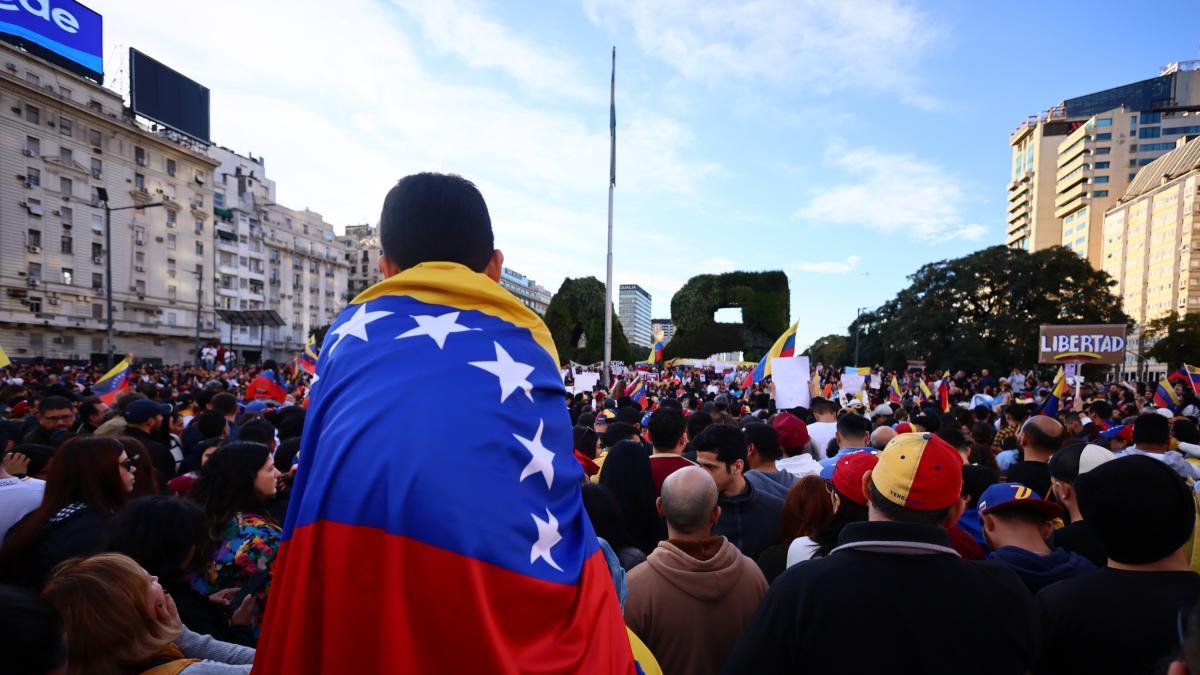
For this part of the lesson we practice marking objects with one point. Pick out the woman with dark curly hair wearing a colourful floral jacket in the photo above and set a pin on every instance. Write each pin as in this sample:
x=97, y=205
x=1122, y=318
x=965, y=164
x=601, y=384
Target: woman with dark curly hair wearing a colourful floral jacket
x=233, y=491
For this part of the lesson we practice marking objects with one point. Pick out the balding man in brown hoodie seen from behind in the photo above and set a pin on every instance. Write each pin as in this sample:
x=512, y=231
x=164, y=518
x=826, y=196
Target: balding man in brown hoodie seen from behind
x=697, y=593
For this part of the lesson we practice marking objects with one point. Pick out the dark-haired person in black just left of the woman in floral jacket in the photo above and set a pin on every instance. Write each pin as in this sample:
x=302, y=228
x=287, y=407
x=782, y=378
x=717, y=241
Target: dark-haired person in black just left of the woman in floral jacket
x=169, y=539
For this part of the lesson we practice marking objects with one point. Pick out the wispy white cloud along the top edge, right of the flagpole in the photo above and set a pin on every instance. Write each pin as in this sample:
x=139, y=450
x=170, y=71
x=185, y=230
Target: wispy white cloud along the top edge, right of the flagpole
x=821, y=46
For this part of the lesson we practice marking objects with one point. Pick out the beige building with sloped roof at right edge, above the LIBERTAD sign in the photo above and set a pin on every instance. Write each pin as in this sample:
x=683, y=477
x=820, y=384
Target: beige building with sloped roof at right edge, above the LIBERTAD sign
x=1153, y=238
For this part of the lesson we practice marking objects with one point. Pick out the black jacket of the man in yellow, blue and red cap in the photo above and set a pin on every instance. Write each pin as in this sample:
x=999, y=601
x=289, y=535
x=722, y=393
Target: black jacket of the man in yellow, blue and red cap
x=893, y=598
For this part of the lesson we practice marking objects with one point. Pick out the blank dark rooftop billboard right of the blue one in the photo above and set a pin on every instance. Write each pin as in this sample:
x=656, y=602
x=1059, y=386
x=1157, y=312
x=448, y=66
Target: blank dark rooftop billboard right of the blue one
x=167, y=98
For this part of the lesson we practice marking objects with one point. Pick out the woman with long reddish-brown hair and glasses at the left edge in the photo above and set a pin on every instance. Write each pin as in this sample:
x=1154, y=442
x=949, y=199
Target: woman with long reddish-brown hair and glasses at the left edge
x=91, y=480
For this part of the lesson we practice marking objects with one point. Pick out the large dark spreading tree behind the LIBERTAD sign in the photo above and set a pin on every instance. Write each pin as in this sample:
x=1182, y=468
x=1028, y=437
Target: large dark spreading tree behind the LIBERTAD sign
x=983, y=310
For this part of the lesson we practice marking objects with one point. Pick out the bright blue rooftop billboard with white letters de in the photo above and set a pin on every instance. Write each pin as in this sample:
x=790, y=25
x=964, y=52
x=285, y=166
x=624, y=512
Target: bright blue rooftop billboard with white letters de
x=62, y=32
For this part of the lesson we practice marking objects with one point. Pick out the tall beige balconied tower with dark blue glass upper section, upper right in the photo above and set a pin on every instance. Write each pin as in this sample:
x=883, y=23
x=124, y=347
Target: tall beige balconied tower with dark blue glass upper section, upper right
x=1073, y=163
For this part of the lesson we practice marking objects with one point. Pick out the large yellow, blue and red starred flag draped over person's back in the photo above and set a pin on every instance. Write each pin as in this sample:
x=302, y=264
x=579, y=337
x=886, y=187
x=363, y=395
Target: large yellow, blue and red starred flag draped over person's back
x=437, y=523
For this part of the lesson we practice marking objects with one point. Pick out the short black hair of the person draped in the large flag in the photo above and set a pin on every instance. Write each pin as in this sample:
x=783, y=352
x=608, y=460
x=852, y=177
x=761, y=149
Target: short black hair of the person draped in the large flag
x=435, y=217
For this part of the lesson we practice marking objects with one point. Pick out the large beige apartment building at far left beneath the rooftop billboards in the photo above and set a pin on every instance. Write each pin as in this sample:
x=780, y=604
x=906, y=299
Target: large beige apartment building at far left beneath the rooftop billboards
x=62, y=140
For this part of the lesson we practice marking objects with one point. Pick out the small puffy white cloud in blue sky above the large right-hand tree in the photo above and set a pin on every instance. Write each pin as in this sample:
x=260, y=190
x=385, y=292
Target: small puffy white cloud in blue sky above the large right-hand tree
x=892, y=193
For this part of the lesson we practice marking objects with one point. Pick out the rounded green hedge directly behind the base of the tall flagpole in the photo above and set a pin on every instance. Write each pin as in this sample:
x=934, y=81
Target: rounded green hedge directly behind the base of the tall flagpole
x=575, y=319
